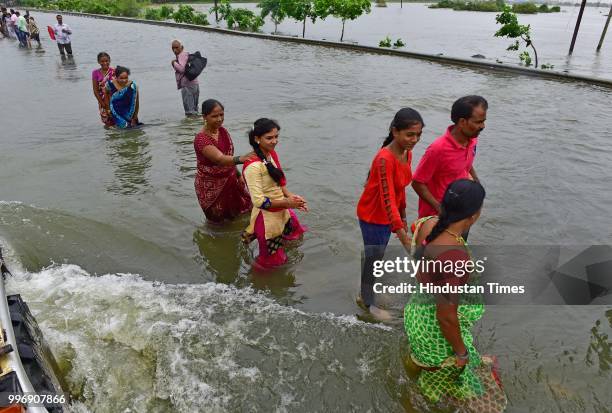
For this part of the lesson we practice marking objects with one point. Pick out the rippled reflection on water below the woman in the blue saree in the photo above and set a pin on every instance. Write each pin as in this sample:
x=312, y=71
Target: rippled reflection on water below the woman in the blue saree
x=128, y=152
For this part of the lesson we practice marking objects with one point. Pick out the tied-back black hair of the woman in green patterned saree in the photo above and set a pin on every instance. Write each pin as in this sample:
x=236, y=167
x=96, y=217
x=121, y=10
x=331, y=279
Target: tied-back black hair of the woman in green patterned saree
x=462, y=199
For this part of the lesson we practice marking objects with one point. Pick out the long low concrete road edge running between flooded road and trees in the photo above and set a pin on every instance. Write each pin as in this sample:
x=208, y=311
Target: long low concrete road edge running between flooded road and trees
x=444, y=60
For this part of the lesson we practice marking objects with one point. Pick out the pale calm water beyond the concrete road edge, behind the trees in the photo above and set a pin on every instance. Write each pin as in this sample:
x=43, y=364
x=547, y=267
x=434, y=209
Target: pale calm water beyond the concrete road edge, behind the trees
x=465, y=34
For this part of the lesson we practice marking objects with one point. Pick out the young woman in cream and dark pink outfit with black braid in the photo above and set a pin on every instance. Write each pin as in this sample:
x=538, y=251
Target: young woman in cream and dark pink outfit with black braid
x=272, y=218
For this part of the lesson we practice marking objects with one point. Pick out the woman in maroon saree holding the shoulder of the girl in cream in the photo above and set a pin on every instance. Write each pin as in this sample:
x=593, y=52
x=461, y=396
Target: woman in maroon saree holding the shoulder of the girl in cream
x=221, y=191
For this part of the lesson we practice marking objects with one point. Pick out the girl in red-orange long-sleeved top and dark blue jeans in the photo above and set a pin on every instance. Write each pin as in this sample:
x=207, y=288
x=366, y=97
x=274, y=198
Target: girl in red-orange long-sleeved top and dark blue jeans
x=382, y=206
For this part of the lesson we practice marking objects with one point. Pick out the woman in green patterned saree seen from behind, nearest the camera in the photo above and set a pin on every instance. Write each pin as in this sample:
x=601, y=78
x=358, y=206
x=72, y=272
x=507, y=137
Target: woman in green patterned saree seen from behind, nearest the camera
x=438, y=326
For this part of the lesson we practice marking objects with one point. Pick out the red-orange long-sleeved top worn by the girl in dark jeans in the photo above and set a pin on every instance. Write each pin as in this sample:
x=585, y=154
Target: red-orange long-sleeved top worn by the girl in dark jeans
x=384, y=194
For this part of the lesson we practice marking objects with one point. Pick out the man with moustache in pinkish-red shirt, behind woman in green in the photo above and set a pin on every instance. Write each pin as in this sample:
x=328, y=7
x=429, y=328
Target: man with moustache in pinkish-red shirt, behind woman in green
x=451, y=156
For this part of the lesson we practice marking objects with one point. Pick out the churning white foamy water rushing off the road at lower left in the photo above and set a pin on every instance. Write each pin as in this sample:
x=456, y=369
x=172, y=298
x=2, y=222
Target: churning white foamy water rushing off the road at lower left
x=127, y=344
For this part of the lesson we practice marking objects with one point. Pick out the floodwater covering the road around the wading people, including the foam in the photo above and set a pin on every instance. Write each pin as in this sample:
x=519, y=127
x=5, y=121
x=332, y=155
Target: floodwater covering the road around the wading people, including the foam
x=148, y=308
